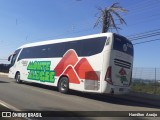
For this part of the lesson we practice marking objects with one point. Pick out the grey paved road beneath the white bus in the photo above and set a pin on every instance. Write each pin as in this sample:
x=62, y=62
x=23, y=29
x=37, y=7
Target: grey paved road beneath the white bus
x=29, y=96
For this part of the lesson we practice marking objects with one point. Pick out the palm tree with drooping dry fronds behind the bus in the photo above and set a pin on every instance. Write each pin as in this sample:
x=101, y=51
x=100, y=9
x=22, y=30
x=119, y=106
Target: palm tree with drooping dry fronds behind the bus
x=107, y=17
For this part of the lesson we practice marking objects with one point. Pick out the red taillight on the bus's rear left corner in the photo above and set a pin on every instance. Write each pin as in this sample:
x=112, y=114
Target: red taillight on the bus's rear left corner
x=108, y=76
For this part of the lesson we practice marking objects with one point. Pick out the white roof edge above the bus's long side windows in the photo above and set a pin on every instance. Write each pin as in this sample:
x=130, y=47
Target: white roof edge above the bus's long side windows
x=64, y=40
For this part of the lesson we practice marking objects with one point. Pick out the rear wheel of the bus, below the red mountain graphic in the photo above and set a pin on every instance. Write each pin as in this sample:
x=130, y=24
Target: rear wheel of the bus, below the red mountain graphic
x=63, y=85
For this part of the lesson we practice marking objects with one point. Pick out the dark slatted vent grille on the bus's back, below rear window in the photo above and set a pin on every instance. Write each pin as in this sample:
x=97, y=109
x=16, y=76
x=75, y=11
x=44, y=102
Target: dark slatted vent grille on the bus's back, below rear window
x=122, y=63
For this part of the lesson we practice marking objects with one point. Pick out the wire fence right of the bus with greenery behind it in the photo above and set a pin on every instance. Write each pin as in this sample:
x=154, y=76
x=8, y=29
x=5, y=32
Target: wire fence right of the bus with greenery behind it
x=146, y=80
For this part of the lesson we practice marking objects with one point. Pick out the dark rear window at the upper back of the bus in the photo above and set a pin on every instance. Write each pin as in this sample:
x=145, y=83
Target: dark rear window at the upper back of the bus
x=122, y=44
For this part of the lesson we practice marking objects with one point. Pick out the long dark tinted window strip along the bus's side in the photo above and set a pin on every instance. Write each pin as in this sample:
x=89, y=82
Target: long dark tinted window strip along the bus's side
x=85, y=47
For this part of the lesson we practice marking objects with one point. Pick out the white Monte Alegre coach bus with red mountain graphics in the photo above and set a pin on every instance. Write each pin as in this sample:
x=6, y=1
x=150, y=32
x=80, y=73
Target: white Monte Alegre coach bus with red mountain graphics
x=100, y=63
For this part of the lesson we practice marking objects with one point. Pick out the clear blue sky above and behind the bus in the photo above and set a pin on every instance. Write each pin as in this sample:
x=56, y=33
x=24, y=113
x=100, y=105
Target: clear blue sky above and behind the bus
x=25, y=21
